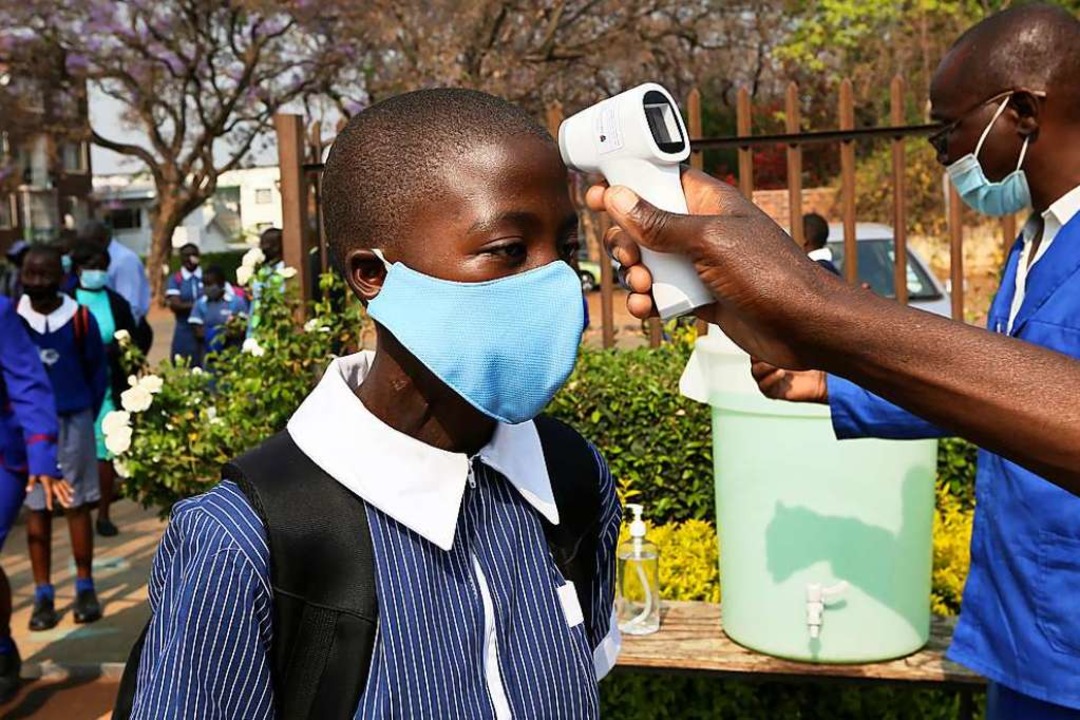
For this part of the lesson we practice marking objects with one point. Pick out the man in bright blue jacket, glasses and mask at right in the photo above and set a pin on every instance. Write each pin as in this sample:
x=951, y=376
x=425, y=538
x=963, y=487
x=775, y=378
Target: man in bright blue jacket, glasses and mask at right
x=1007, y=94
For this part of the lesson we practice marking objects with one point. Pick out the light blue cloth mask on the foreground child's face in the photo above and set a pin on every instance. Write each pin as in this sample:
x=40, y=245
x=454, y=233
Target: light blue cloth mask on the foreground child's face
x=506, y=346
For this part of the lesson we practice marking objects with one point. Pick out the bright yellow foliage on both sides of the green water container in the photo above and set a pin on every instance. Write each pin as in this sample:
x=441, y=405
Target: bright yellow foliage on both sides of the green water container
x=690, y=554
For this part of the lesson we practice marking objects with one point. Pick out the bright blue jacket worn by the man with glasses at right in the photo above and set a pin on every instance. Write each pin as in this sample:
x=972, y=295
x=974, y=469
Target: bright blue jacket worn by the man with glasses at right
x=1021, y=617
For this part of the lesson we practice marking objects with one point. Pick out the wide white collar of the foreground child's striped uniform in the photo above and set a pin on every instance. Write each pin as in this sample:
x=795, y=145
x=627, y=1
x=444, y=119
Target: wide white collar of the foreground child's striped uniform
x=418, y=485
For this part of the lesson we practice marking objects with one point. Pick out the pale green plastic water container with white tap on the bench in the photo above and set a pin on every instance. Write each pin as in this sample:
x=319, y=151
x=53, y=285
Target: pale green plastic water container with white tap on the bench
x=826, y=546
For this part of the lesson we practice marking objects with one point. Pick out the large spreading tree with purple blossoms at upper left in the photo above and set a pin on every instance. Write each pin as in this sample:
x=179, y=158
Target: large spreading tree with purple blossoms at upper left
x=200, y=80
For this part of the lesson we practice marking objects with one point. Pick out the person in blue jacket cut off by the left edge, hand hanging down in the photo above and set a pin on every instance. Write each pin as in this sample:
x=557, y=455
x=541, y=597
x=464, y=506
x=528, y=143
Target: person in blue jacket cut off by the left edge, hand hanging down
x=29, y=433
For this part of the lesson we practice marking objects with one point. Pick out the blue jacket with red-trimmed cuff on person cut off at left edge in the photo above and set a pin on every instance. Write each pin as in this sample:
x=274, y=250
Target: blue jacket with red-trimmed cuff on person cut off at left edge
x=29, y=426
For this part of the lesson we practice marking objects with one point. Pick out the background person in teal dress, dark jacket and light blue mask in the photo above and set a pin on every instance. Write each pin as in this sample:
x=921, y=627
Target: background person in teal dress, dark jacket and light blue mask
x=113, y=315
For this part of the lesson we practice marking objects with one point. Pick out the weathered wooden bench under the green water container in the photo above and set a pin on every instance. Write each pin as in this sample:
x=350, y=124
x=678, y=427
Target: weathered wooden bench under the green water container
x=692, y=641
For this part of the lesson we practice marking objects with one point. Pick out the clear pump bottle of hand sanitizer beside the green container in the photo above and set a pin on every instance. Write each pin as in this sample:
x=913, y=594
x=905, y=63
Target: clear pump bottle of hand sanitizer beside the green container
x=639, y=570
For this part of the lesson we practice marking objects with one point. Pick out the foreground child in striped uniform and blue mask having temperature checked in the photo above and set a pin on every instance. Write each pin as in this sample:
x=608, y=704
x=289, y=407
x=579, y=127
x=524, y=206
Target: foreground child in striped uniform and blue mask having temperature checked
x=465, y=495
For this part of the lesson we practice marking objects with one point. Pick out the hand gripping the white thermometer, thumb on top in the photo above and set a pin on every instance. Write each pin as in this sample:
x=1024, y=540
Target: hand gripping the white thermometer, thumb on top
x=763, y=283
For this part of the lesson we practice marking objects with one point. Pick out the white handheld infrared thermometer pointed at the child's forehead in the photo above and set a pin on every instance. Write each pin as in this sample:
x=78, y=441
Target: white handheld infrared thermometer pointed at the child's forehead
x=638, y=140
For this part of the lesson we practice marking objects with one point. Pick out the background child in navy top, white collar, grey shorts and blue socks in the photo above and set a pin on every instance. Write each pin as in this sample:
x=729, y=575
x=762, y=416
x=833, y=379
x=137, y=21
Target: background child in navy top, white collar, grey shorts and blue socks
x=70, y=345
